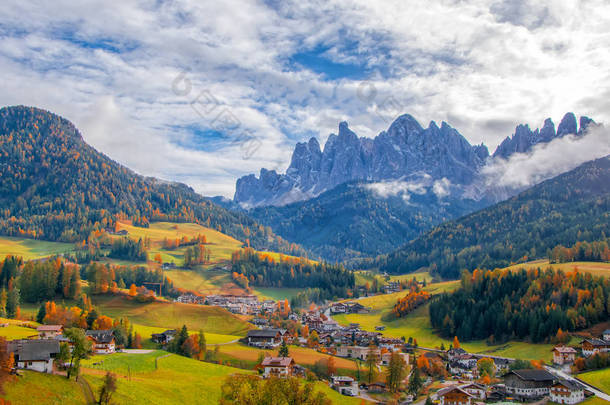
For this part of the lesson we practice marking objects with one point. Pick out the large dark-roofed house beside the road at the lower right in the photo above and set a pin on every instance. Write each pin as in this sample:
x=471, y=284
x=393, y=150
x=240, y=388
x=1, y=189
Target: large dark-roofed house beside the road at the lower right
x=528, y=384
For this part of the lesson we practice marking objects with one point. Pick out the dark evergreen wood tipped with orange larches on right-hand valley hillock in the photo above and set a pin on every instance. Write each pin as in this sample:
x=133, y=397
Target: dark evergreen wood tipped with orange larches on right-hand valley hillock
x=534, y=304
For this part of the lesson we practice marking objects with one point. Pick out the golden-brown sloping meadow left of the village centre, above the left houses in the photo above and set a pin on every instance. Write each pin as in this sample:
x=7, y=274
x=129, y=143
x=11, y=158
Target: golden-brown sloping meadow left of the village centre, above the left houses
x=171, y=315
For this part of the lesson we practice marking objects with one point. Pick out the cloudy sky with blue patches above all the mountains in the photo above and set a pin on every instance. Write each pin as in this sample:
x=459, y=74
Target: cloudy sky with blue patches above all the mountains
x=204, y=92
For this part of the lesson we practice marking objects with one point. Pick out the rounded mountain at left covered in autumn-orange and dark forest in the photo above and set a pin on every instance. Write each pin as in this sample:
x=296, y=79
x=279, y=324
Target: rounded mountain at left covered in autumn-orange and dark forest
x=54, y=186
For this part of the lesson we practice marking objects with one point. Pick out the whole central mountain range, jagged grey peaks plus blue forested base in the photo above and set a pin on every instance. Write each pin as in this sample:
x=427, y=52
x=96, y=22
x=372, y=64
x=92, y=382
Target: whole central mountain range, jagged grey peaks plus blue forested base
x=363, y=197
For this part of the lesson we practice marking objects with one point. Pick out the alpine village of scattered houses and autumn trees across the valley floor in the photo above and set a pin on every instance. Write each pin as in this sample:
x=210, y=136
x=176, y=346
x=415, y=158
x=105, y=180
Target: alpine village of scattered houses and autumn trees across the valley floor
x=459, y=377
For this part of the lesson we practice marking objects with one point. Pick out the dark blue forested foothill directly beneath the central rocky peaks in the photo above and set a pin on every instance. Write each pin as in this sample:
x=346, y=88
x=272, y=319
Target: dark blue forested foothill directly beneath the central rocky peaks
x=351, y=220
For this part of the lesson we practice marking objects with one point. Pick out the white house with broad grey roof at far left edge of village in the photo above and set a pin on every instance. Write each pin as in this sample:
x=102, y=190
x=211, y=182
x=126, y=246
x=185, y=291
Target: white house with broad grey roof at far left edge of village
x=37, y=355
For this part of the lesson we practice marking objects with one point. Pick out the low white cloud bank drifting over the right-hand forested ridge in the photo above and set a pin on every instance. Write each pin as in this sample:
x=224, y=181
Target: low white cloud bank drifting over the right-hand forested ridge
x=547, y=160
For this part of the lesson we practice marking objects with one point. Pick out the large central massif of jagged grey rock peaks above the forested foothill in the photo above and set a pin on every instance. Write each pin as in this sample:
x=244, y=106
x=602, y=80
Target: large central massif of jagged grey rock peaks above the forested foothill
x=405, y=150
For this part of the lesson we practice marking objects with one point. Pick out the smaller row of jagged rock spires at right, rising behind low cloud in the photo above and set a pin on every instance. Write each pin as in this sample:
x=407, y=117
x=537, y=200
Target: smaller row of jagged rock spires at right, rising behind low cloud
x=524, y=139
